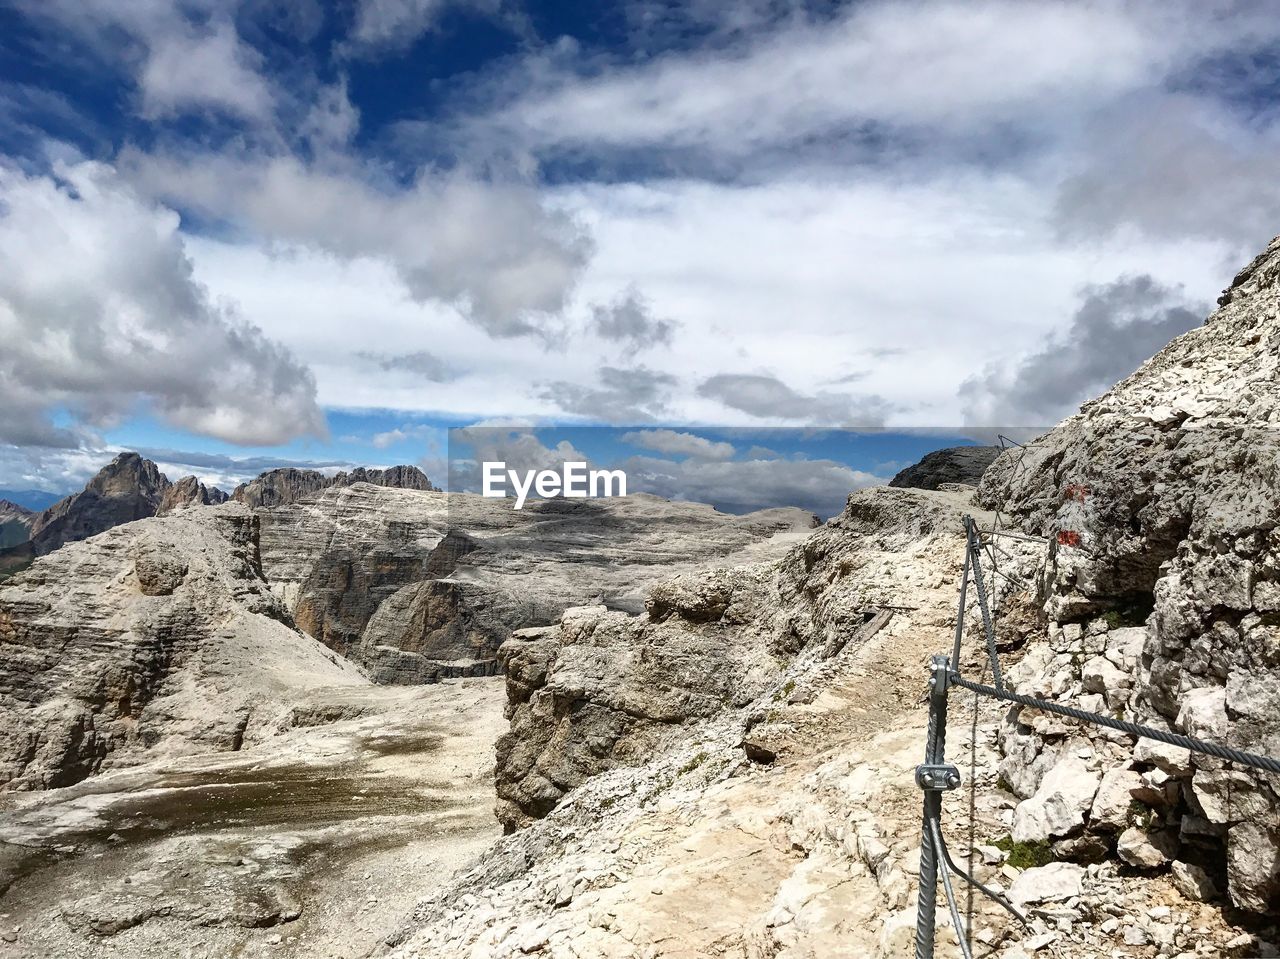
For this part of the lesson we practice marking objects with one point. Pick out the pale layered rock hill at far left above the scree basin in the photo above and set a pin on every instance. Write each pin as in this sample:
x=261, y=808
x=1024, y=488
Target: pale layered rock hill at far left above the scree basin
x=156, y=636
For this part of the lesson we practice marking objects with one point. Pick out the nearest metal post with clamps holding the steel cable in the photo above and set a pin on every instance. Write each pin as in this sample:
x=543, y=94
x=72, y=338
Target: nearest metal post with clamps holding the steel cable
x=934, y=777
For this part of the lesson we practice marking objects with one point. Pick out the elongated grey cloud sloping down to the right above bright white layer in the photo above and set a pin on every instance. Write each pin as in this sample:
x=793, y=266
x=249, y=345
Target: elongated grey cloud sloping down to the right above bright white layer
x=492, y=250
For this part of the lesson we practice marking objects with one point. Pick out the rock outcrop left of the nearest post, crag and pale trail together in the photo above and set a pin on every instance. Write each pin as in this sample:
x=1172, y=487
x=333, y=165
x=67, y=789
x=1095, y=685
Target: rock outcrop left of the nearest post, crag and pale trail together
x=729, y=773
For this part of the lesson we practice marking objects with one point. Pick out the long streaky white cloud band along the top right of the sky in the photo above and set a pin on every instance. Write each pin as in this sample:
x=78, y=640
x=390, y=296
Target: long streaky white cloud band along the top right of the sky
x=880, y=71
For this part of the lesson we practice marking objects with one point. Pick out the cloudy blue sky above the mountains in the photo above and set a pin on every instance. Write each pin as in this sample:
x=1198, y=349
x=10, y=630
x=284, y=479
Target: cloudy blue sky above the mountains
x=244, y=234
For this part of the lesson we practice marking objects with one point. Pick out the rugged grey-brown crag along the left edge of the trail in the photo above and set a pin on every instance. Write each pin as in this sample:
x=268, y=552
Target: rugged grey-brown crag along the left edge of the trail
x=605, y=689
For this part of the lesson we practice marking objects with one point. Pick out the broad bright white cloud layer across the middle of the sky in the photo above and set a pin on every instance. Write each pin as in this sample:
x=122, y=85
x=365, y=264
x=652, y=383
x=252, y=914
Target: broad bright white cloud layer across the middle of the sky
x=803, y=280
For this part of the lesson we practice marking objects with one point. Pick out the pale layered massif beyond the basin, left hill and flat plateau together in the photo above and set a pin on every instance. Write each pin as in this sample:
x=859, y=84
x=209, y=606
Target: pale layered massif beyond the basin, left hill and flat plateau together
x=136, y=640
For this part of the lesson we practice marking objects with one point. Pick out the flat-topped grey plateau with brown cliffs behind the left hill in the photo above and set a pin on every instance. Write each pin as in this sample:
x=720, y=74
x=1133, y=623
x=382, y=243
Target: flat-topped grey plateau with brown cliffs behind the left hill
x=419, y=586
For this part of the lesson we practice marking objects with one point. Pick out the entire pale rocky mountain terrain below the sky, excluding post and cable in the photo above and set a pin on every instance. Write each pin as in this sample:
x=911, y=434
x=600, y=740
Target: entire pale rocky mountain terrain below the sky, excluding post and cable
x=712, y=720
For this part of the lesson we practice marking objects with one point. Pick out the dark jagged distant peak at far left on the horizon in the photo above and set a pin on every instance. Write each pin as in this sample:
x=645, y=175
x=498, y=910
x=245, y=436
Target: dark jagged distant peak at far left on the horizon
x=129, y=488
